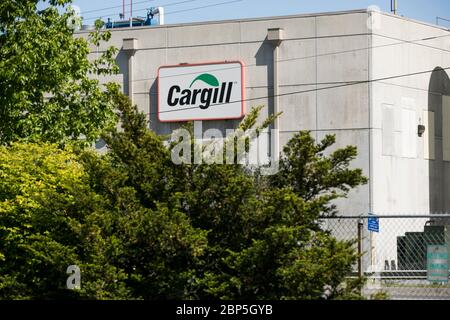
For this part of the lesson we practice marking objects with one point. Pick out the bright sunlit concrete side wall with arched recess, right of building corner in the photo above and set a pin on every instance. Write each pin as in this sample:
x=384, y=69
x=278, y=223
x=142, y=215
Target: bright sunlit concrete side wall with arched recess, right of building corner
x=406, y=85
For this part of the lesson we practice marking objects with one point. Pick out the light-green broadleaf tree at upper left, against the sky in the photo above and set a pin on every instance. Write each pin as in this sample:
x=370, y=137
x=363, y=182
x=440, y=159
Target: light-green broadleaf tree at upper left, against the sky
x=49, y=90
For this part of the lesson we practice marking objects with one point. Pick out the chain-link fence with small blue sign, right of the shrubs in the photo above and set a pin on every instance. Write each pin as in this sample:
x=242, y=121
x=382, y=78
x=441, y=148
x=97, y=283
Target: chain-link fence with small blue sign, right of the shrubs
x=402, y=256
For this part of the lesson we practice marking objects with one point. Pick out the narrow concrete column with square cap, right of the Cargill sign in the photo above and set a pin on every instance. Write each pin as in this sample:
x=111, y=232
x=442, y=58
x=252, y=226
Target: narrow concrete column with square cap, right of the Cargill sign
x=275, y=36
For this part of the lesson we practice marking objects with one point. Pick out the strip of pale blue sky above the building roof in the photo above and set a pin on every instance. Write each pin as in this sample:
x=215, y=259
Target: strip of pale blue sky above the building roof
x=182, y=11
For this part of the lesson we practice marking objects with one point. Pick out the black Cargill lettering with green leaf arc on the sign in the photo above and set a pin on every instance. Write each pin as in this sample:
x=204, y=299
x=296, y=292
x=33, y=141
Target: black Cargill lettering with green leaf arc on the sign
x=213, y=92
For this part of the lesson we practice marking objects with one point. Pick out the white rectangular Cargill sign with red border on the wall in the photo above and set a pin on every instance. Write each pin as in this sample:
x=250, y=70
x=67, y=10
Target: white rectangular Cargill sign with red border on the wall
x=212, y=91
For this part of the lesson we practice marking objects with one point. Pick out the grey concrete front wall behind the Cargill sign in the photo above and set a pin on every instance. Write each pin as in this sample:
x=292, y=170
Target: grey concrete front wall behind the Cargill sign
x=319, y=59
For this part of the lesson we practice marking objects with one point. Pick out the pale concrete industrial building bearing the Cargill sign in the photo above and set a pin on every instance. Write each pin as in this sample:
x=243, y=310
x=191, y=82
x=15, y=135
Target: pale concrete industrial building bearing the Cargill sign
x=376, y=80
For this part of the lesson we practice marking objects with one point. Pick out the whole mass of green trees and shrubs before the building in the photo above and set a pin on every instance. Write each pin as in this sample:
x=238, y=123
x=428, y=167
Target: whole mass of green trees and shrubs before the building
x=138, y=225
